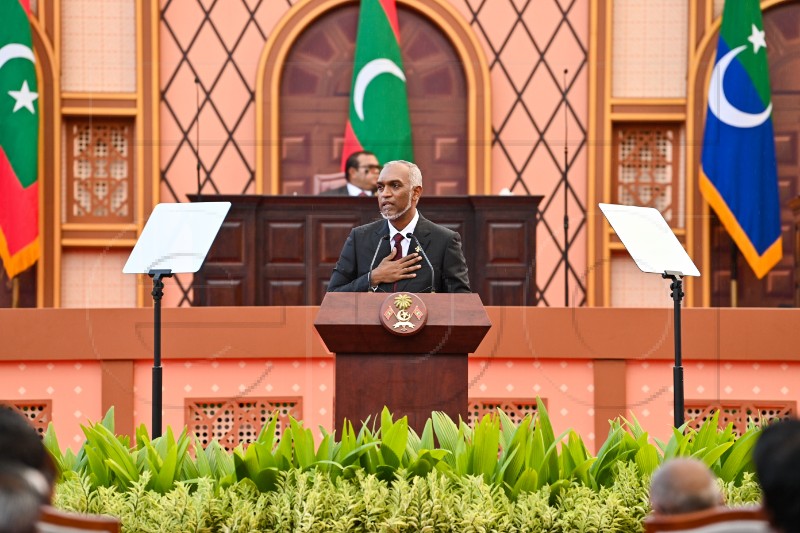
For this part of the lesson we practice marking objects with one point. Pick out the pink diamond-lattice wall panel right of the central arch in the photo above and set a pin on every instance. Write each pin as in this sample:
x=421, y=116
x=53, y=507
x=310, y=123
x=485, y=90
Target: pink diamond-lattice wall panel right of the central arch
x=529, y=45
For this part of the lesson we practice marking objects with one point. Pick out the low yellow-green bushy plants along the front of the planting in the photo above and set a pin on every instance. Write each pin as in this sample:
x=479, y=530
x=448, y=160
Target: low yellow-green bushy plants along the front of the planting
x=313, y=500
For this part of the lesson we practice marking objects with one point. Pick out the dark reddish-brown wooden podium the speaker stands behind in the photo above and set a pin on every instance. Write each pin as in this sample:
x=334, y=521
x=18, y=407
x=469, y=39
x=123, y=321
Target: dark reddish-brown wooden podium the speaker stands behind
x=411, y=375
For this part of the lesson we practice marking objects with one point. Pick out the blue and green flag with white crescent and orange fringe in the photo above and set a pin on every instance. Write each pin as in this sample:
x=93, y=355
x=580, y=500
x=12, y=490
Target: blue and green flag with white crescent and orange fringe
x=739, y=177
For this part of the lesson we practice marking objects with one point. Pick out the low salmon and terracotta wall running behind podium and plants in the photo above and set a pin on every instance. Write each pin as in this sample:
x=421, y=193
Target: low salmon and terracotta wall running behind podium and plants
x=565, y=356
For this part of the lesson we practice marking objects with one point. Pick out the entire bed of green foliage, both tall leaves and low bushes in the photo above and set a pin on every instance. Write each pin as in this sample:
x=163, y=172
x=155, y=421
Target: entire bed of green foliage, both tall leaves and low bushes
x=495, y=476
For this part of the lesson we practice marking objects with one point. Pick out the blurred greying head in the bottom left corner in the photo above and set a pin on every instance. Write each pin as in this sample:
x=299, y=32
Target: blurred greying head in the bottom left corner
x=22, y=493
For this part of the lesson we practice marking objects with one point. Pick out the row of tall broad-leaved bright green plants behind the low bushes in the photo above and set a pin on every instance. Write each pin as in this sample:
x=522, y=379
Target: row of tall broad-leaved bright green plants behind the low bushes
x=517, y=458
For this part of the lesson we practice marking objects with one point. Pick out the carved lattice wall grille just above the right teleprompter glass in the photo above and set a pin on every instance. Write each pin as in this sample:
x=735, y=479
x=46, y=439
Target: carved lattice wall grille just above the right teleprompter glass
x=646, y=168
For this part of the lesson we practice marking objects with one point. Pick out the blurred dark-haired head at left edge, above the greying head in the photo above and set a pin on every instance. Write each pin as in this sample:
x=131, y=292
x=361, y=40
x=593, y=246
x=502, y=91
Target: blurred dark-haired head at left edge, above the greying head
x=20, y=444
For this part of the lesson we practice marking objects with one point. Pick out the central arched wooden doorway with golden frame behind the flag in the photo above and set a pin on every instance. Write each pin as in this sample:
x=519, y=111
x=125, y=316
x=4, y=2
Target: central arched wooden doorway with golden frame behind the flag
x=303, y=90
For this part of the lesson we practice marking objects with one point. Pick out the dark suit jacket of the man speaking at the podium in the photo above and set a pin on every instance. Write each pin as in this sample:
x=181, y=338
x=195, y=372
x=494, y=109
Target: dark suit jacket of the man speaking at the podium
x=441, y=245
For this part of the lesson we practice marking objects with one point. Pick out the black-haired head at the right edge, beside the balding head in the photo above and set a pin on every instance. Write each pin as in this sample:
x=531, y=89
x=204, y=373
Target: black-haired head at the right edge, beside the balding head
x=777, y=459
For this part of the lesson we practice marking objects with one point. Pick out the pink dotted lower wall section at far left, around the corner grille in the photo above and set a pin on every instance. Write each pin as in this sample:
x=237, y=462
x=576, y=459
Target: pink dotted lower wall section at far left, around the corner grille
x=72, y=386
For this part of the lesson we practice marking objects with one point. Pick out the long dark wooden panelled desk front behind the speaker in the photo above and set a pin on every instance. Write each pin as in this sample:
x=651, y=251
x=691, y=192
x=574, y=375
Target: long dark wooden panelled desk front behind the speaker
x=291, y=244
